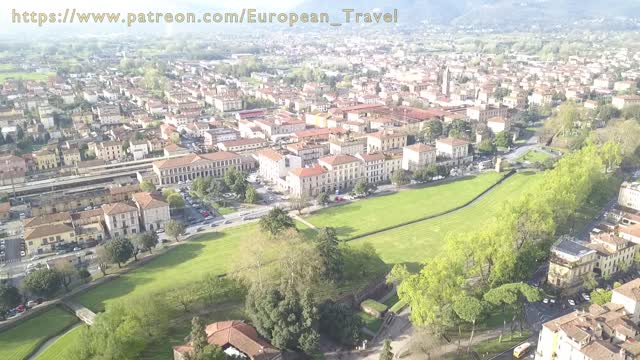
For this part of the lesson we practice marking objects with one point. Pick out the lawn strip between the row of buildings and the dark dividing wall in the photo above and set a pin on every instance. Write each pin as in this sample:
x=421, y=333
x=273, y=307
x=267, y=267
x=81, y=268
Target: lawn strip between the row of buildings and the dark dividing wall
x=382, y=211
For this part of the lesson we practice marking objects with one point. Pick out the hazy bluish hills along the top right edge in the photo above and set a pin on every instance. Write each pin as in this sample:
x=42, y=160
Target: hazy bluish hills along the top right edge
x=489, y=13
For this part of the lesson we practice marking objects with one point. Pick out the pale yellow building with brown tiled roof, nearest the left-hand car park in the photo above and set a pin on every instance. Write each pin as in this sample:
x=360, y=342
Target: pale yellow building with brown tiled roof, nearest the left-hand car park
x=46, y=238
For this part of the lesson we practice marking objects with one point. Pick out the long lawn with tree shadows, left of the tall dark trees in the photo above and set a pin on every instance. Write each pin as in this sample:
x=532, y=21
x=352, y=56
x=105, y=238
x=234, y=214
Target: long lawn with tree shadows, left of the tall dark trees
x=210, y=253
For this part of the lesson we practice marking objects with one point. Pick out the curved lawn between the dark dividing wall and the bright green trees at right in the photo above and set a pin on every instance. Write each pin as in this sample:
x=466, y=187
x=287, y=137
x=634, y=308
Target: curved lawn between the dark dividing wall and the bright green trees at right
x=414, y=243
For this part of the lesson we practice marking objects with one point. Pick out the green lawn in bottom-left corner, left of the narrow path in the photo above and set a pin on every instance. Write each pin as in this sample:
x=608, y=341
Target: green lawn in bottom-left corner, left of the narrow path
x=18, y=342
